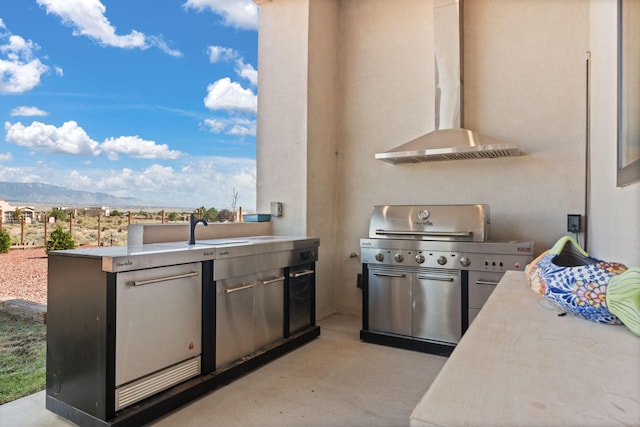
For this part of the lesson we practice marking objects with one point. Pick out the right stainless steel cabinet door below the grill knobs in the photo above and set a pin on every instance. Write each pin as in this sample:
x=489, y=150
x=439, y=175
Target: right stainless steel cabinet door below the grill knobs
x=437, y=306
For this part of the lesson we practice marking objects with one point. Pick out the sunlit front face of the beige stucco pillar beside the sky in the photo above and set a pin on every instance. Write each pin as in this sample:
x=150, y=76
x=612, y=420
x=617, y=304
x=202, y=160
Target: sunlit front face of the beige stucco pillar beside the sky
x=281, y=153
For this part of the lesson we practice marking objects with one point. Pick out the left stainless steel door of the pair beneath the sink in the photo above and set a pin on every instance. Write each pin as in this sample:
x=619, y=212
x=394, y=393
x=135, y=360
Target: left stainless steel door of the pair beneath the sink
x=234, y=319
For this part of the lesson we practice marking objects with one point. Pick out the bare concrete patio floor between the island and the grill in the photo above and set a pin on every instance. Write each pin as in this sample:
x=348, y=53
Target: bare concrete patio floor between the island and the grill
x=336, y=380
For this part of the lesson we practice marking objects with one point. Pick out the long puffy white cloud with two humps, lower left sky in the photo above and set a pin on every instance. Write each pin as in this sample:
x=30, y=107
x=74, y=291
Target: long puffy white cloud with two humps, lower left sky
x=72, y=139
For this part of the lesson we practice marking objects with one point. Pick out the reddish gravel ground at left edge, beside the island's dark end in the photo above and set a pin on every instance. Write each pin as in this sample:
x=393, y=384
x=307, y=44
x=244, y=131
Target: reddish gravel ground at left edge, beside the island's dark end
x=23, y=274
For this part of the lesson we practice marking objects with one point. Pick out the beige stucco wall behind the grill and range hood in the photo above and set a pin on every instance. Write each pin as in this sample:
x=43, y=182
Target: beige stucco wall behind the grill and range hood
x=524, y=82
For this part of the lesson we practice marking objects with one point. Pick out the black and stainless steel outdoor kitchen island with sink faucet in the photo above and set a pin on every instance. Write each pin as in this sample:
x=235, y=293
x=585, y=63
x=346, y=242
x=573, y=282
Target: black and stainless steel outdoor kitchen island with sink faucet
x=135, y=332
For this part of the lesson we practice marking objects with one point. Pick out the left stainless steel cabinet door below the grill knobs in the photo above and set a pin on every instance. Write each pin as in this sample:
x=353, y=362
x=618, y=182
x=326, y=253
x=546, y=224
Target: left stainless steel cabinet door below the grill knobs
x=390, y=301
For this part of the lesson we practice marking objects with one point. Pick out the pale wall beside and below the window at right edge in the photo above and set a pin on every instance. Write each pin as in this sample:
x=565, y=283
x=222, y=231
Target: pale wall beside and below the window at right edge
x=615, y=212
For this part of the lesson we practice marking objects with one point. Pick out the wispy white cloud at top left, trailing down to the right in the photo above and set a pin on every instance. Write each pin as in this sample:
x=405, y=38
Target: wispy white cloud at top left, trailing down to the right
x=87, y=17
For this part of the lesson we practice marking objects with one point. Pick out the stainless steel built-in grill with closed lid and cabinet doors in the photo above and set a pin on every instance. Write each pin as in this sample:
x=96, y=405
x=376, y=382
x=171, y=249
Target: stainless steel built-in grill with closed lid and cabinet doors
x=427, y=271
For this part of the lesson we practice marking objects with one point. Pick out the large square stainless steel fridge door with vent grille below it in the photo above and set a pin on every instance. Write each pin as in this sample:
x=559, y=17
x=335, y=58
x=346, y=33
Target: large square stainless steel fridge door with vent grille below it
x=158, y=324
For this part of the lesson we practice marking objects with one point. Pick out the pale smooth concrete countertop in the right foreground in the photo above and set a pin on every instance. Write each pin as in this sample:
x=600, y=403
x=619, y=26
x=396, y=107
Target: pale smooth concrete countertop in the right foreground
x=520, y=364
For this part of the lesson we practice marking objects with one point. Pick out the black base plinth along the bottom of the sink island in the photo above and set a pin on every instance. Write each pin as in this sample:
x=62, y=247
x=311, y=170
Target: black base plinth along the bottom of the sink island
x=171, y=399
